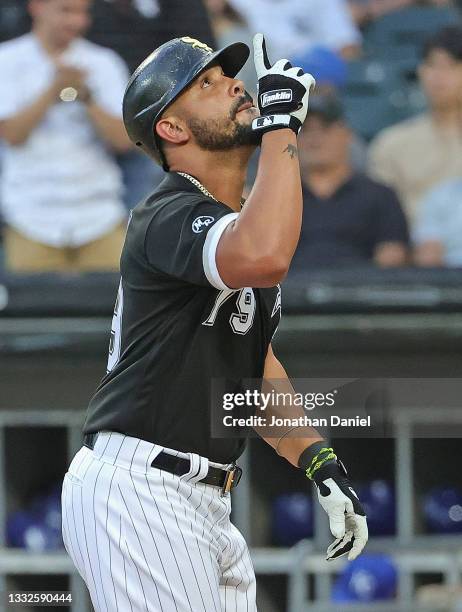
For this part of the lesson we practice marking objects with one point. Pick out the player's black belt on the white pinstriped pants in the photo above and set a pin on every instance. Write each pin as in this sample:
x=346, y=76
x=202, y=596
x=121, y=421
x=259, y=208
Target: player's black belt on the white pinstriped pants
x=225, y=479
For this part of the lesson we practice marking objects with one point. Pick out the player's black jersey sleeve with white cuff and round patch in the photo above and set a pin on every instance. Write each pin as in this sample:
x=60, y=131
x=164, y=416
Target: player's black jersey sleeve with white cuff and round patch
x=182, y=238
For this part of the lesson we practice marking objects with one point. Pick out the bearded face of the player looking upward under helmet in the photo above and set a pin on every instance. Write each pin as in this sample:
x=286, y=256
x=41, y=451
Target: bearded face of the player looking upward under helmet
x=219, y=112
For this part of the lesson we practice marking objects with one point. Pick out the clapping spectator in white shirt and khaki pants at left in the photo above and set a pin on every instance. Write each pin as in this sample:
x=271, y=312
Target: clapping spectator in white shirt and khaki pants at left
x=60, y=117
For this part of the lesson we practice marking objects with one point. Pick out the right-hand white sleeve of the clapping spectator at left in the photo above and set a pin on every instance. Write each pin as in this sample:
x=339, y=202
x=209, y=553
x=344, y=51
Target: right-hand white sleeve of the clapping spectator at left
x=108, y=82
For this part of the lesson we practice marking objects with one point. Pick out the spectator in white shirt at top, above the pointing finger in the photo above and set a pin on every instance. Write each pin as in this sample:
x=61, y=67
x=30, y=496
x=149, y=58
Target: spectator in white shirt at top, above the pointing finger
x=292, y=26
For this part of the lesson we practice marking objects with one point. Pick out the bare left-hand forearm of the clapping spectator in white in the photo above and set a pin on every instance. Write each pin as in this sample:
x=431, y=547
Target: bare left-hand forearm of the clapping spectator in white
x=17, y=129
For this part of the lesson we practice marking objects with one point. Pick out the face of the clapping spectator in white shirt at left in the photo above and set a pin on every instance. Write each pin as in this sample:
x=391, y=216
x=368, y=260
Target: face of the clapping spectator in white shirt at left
x=62, y=20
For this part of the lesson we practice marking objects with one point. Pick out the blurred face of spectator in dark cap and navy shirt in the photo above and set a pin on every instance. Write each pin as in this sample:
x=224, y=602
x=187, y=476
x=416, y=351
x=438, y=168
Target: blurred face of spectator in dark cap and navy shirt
x=323, y=144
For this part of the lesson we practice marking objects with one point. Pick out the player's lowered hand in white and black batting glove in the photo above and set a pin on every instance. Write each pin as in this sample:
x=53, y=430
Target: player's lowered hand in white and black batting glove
x=347, y=518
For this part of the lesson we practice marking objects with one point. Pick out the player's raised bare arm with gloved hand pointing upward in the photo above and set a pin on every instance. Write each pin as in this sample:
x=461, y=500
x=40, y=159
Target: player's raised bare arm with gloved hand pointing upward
x=256, y=250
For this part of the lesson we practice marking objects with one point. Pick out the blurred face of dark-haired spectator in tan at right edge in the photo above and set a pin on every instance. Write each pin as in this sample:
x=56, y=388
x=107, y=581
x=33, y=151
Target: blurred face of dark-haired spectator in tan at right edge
x=441, y=78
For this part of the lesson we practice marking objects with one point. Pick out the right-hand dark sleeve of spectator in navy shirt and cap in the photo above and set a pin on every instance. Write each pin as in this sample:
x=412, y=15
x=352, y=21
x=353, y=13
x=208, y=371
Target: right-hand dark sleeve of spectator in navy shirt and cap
x=391, y=220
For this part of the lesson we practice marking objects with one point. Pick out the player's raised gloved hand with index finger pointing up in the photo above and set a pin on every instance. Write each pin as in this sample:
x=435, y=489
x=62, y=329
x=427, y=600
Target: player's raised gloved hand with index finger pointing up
x=282, y=89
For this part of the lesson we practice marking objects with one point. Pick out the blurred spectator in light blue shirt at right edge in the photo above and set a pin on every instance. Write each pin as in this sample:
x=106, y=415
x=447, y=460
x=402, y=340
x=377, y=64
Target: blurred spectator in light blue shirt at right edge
x=437, y=235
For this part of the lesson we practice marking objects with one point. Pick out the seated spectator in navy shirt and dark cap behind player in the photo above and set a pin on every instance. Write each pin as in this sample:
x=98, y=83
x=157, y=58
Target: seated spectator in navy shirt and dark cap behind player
x=348, y=219
